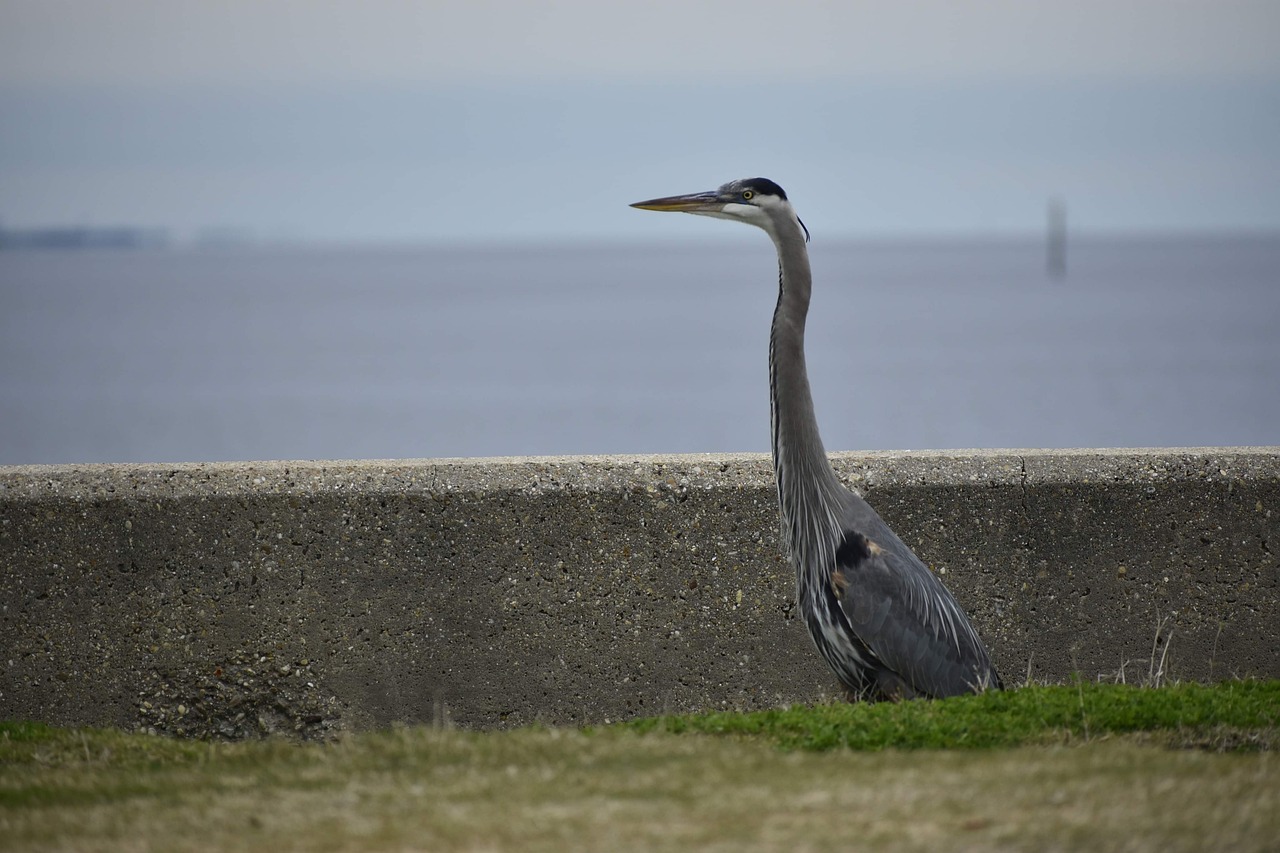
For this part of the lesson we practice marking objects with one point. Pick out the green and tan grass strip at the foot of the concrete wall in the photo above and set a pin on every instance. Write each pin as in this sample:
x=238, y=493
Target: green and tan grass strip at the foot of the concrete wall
x=1084, y=767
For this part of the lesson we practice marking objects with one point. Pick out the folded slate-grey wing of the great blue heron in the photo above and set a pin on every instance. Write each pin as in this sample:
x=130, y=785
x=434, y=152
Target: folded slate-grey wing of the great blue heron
x=906, y=617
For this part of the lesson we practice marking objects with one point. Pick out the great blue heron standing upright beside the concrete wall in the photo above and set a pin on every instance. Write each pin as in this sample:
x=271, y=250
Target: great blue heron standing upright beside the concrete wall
x=881, y=621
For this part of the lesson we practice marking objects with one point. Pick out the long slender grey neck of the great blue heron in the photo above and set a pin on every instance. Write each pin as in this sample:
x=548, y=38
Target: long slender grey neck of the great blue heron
x=807, y=485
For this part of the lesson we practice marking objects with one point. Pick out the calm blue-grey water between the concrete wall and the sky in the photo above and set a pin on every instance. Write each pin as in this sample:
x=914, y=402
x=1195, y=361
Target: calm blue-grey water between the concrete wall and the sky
x=405, y=353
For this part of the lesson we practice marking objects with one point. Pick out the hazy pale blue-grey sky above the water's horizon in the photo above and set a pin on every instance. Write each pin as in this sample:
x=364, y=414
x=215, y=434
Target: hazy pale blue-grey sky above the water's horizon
x=542, y=121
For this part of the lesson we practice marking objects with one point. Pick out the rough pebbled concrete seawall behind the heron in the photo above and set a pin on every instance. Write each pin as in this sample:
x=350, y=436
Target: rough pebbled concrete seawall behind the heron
x=236, y=600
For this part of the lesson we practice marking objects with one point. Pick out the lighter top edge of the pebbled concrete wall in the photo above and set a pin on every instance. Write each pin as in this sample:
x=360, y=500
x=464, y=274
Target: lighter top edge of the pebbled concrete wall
x=876, y=469
